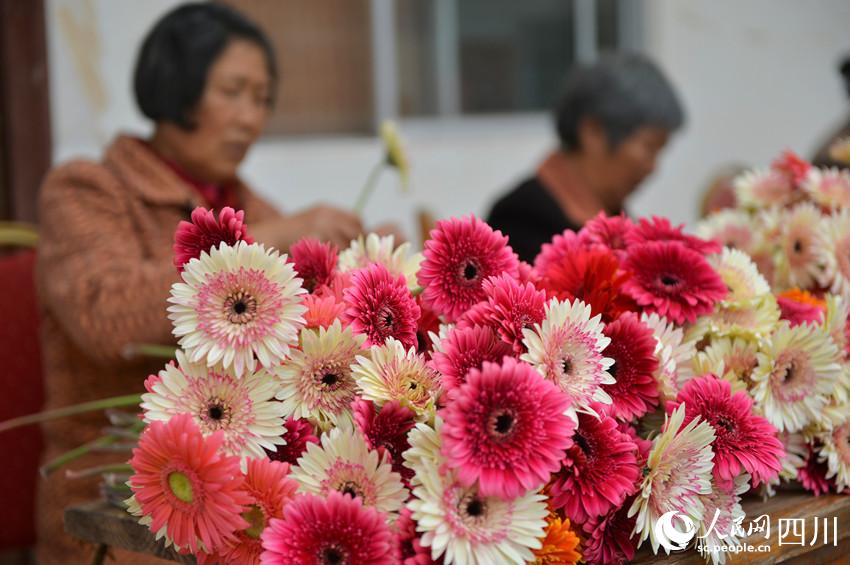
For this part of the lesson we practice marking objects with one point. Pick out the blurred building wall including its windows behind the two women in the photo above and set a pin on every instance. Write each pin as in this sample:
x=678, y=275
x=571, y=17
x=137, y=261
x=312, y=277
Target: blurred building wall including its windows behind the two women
x=471, y=82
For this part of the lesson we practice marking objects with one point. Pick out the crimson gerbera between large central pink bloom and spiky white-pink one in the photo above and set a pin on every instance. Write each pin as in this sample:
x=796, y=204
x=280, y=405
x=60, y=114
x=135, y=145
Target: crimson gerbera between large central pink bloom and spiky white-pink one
x=600, y=469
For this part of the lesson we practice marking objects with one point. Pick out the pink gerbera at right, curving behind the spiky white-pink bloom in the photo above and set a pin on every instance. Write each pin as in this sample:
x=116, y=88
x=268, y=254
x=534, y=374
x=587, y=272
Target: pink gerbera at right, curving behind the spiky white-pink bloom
x=743, y=441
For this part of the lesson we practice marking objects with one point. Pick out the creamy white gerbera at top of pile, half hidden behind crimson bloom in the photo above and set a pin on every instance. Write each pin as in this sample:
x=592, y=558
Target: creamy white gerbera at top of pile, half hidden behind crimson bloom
x=382, y=250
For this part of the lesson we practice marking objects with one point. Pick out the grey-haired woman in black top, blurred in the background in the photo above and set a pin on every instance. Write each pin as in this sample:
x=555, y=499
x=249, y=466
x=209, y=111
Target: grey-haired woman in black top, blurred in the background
x=613, y=119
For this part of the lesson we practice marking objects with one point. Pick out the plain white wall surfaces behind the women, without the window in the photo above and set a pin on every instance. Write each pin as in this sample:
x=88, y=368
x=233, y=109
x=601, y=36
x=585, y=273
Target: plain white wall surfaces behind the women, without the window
x=756, y=77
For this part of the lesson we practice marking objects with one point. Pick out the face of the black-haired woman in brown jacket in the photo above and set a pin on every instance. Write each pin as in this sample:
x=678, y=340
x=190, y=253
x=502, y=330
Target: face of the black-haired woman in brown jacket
x=231, y=114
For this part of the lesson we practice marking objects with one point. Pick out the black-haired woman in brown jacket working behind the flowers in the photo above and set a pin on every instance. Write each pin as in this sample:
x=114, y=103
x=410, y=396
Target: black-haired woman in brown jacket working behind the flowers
x=205, y=76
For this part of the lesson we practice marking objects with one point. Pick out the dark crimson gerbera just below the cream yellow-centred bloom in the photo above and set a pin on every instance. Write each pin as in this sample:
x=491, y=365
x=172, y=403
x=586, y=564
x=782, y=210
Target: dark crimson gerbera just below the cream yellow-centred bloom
x=386, y=430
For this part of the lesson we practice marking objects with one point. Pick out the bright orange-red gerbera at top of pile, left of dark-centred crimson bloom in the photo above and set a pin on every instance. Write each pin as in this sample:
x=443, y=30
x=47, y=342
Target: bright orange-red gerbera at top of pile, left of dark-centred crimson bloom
x=592, y=276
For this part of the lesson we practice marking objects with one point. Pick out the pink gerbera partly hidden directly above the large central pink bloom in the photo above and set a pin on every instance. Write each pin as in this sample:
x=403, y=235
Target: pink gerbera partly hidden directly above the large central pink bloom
x=465, y=349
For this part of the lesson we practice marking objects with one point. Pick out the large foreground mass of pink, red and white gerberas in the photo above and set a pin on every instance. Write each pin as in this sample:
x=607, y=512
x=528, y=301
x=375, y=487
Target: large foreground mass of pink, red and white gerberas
x=374, y=405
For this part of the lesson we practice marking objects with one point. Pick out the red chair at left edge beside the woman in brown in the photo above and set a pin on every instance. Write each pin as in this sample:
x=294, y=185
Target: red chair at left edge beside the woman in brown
x=21, y=393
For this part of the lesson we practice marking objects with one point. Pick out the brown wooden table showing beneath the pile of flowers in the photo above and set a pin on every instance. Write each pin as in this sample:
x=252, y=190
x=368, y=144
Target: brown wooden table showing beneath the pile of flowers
x=105, y=525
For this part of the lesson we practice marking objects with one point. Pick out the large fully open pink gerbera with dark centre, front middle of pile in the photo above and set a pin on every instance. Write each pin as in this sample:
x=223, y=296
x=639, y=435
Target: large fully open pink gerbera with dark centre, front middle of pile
x=506, y=429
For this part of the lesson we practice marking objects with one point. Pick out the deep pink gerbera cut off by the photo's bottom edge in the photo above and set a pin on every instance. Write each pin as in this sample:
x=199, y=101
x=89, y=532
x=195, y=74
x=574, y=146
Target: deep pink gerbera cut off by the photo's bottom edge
x=336, y=529
